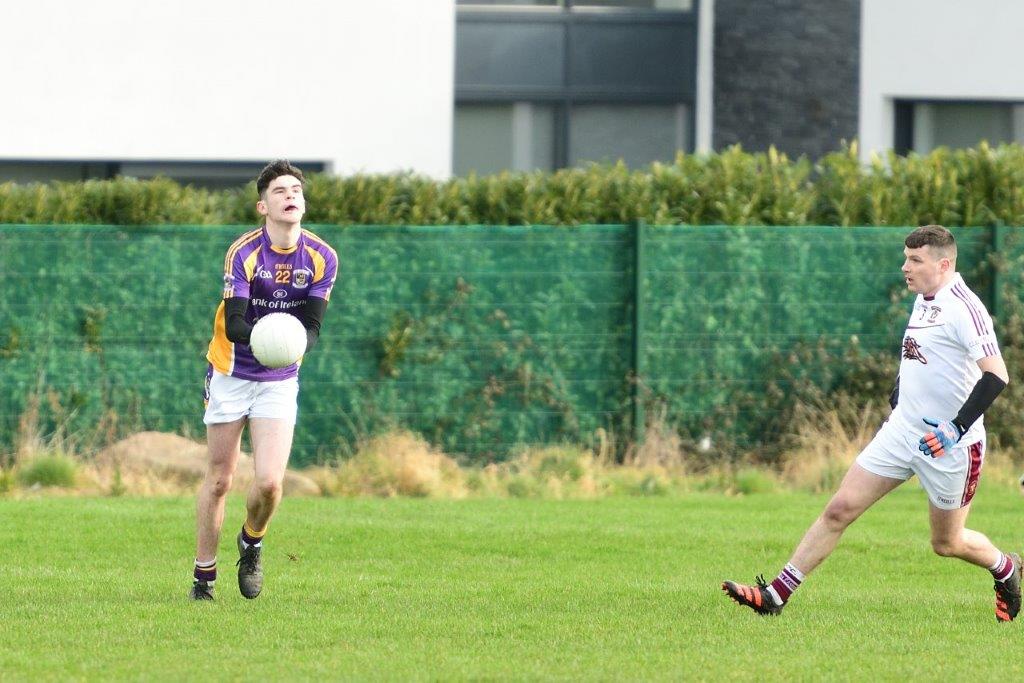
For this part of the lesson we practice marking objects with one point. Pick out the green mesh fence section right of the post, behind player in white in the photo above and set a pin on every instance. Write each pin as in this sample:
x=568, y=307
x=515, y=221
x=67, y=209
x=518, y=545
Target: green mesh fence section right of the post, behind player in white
x=722, y=308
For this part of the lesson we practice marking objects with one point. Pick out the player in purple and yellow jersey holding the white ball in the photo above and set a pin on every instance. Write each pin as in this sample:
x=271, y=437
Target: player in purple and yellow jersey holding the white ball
x=278, y=268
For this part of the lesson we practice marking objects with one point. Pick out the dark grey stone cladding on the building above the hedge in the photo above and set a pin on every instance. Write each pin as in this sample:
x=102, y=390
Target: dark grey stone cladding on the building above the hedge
x=787, y=73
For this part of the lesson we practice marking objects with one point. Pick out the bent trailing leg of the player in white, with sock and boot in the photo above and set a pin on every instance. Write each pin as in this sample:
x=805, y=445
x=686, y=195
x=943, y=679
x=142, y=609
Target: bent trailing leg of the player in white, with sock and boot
x=951, y=538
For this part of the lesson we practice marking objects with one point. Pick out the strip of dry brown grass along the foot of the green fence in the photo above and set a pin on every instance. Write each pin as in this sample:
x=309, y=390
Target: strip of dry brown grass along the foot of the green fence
x=827, y=441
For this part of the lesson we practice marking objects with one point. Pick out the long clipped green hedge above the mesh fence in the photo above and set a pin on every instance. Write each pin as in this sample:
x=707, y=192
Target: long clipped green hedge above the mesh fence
x=967, y=188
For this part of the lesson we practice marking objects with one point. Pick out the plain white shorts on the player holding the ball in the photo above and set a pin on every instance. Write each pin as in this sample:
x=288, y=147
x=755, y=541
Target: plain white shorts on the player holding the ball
x=229, y=399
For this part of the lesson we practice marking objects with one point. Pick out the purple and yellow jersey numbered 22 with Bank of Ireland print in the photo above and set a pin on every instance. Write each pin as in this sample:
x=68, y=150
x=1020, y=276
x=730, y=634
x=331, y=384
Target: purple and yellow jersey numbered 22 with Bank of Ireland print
x=275, y=281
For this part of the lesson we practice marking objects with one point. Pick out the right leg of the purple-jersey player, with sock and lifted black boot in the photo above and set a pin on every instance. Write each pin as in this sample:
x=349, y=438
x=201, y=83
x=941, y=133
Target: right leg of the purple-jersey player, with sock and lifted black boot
x=272, y=447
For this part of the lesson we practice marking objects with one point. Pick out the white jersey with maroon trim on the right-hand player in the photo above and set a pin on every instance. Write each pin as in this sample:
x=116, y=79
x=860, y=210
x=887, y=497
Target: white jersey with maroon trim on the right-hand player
x=947, y=336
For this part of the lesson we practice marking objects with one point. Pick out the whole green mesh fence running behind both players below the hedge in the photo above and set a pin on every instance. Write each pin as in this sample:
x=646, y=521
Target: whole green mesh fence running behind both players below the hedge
x=481, y=338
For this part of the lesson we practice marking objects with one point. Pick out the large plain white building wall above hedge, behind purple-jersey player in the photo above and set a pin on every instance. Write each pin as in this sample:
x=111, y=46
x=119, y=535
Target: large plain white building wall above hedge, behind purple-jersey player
x=363, y=86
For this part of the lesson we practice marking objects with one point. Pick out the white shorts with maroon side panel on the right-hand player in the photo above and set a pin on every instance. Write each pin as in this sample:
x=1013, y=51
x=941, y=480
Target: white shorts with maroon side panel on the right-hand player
x=950, y=481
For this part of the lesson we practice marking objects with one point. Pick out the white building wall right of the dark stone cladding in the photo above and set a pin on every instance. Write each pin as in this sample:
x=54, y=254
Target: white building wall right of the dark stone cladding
x=941, y=50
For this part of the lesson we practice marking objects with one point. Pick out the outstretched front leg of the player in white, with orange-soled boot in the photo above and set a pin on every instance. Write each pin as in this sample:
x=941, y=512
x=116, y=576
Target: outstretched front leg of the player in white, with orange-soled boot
x=860, y=491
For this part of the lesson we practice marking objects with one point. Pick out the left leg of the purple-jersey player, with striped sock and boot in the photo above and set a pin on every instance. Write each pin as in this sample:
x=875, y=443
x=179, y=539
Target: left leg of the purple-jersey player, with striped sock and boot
x=225, y=442
